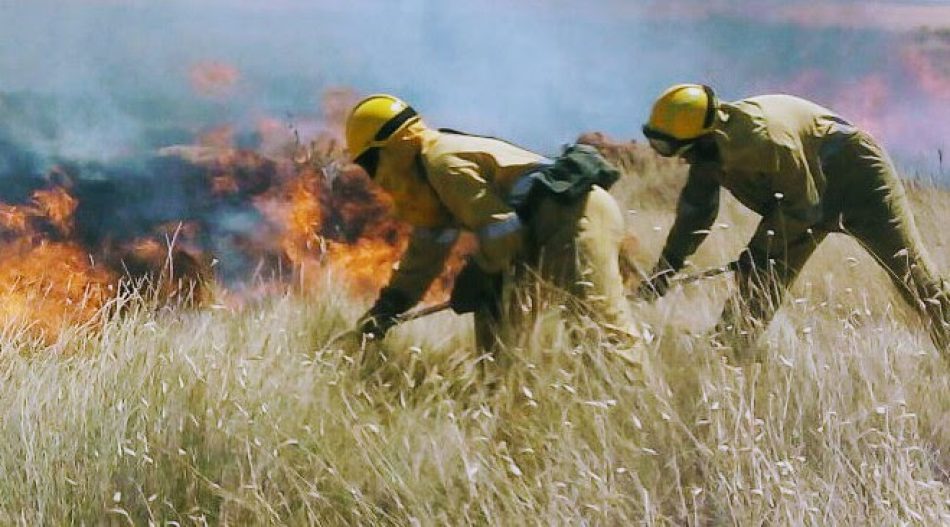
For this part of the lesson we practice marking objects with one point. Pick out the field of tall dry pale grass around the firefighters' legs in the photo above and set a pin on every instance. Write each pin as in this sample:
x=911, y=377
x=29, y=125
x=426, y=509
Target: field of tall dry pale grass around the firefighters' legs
x=253, y=416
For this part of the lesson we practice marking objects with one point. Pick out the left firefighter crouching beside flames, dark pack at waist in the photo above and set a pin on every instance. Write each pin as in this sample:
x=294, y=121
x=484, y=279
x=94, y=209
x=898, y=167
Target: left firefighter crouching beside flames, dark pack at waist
x=526, y=211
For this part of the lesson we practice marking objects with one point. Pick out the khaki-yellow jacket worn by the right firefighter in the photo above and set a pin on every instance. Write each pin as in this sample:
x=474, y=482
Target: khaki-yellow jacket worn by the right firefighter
x=770, y=152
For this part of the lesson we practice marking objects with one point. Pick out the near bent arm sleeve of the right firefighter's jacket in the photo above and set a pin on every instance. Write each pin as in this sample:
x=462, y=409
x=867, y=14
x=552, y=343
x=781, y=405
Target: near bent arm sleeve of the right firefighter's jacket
x=795, y=210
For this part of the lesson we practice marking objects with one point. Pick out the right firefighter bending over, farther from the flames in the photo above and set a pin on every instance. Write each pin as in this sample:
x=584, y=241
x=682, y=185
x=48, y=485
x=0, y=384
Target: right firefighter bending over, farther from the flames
x=807, y=172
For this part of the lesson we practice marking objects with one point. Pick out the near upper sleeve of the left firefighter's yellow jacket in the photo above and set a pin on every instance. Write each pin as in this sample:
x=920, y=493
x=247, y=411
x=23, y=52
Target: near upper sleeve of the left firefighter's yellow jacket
x=469, y=197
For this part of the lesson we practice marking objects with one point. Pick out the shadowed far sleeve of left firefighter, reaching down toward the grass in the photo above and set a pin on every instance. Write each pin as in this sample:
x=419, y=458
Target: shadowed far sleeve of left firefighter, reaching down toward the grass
x=423, y=261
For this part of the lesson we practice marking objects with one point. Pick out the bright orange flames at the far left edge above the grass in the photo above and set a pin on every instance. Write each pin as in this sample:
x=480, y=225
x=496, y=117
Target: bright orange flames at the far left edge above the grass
x=50, y=281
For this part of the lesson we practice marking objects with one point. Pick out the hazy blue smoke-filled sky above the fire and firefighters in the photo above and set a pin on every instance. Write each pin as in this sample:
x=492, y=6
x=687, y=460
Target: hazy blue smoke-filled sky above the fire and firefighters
x=100, y=78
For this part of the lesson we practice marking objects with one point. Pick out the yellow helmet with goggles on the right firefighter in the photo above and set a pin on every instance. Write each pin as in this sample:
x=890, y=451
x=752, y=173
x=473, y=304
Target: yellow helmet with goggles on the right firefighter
x=682, y=113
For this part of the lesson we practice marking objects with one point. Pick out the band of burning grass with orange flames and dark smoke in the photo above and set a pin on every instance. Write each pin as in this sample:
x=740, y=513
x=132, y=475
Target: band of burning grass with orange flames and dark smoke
x=172, y=222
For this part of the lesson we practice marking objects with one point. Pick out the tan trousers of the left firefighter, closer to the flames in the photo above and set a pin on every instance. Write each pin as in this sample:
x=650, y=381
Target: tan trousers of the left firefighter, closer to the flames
x=572, y=259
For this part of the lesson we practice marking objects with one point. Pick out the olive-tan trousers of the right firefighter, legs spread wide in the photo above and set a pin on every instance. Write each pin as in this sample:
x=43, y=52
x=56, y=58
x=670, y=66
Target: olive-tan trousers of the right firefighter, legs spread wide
x=874, y=210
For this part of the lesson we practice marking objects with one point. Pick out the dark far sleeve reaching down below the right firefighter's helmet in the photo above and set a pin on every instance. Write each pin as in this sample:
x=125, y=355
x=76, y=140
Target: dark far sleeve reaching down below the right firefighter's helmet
x=696, y=210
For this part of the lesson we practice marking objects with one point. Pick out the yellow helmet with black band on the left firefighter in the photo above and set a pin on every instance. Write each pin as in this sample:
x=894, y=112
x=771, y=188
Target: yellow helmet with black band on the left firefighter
x=373, y=121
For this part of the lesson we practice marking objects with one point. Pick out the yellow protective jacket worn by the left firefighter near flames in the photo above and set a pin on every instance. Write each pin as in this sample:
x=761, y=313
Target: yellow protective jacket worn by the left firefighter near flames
x=457, y=182
